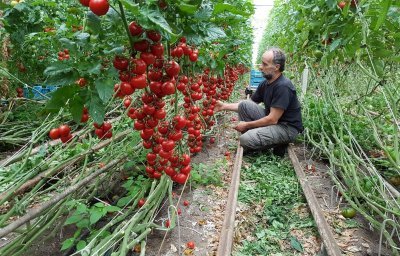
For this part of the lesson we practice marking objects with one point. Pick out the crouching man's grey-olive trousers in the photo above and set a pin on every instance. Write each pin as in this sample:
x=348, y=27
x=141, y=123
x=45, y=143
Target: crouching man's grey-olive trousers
x=263, y=137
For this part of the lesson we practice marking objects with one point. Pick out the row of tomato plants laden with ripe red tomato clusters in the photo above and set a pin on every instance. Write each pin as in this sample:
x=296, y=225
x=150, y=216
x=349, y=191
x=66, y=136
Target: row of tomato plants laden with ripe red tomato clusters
x=156, y=68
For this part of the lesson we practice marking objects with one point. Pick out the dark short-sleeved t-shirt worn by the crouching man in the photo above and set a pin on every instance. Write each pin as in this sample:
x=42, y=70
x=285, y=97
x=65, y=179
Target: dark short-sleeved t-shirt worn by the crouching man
x=280, y=94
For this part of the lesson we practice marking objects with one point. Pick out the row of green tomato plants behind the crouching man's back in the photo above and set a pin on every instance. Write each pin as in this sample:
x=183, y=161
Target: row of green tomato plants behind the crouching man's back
x=350, y=106
